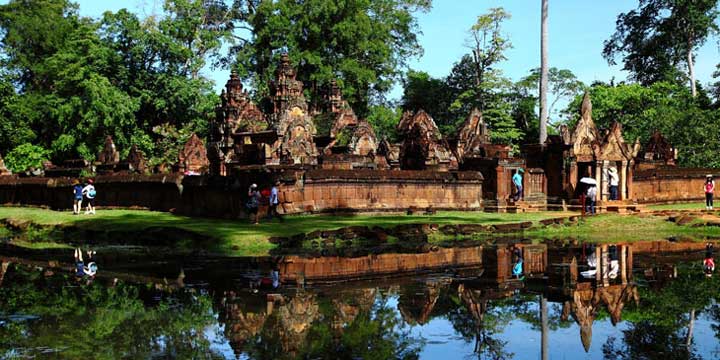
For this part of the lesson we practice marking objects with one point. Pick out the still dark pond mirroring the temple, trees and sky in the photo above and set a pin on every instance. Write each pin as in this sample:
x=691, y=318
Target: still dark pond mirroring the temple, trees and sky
x=660, y=305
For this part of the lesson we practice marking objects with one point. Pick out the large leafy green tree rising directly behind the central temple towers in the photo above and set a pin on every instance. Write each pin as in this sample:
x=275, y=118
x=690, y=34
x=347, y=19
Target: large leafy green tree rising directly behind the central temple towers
x=364, y=44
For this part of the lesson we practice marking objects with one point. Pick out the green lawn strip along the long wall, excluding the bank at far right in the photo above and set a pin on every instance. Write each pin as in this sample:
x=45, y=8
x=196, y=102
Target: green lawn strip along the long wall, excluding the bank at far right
x=238, y=237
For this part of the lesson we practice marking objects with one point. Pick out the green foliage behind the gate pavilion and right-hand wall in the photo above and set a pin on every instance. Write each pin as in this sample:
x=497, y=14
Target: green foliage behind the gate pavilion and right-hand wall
x=662, y=106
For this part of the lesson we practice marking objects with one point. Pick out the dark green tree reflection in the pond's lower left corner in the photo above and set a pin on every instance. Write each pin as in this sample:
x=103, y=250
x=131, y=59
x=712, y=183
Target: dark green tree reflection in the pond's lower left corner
x=96, y=321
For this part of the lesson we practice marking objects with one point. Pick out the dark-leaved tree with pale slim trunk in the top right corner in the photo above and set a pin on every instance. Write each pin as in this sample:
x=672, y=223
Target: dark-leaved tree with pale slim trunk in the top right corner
x=659, y=36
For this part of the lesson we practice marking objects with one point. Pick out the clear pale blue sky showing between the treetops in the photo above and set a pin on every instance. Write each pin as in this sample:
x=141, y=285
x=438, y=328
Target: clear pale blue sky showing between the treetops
x=577, y=30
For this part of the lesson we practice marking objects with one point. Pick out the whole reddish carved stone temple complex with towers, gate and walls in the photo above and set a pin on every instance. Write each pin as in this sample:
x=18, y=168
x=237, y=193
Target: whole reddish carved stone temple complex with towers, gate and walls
x=328, y=160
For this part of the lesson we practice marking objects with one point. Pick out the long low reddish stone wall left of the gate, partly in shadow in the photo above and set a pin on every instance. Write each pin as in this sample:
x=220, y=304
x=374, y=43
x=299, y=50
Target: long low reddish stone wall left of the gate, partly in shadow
x=301, y=191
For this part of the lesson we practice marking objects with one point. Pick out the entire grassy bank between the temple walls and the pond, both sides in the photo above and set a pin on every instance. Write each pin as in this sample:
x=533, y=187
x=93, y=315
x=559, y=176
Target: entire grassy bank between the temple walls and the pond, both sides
x=238, y=237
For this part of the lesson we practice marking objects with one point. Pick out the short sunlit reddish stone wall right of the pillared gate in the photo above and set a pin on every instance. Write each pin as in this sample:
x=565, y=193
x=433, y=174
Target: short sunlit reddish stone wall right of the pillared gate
x=669, y=185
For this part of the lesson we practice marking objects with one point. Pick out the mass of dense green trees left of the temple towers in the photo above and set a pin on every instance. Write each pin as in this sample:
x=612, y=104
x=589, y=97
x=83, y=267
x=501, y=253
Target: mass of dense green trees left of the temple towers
x=80, y=79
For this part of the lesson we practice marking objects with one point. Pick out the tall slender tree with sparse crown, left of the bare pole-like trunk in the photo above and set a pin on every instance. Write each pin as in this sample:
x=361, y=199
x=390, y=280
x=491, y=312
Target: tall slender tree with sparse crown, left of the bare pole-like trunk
x=487, y=44
